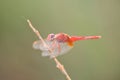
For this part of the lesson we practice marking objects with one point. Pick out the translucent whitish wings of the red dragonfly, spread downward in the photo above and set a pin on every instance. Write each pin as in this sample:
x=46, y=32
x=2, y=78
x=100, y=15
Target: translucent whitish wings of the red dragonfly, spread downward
x=58, y=48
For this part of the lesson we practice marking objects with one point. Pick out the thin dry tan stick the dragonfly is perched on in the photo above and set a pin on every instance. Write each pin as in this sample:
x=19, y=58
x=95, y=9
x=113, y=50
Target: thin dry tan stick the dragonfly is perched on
x=58, y=64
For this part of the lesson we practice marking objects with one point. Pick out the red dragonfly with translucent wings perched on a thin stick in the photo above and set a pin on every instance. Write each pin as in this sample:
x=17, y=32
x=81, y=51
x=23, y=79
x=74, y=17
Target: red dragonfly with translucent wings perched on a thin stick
x=59, y=43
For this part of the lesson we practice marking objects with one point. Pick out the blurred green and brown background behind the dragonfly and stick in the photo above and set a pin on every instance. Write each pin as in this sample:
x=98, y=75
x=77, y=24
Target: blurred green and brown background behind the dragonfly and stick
x=88, y=60
